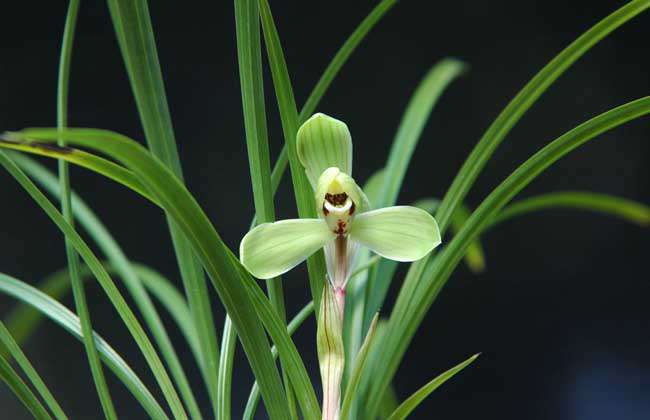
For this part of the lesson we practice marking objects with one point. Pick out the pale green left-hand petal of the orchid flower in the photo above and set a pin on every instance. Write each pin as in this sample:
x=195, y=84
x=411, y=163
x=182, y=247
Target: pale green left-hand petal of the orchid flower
x=272, y=249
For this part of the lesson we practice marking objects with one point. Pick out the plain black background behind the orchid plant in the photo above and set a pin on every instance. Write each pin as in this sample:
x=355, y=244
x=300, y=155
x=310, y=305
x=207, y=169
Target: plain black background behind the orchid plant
x=560, y=315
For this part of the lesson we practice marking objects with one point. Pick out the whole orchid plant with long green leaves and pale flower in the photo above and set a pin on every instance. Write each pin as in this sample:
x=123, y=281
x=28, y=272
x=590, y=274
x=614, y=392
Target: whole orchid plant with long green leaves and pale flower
x=359, y=348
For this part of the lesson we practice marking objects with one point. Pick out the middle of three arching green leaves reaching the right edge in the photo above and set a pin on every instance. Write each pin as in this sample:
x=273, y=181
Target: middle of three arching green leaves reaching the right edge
x=412, y=305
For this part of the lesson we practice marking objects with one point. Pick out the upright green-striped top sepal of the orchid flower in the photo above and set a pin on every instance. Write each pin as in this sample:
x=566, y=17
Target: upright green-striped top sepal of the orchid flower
x=324, y=142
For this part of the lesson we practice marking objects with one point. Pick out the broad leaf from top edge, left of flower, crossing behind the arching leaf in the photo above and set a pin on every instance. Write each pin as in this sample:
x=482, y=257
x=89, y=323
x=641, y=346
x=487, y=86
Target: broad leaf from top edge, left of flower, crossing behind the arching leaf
x=135, y=36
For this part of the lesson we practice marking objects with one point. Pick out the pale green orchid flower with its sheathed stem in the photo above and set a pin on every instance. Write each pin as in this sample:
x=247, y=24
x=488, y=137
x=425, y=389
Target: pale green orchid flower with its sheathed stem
x=346, y=221
